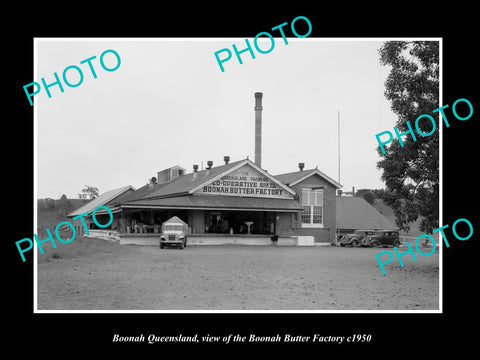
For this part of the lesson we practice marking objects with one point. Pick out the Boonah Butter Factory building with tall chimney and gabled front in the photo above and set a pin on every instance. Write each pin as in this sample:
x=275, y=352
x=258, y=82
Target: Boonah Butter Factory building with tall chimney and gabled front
x=236, y=202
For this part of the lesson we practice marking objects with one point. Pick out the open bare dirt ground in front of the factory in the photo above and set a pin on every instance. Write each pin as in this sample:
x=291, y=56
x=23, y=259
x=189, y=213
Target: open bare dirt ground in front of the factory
x=91, y=274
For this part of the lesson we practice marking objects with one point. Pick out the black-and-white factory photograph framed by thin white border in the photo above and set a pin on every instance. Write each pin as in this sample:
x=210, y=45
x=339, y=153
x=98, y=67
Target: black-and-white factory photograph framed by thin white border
x=268, y=179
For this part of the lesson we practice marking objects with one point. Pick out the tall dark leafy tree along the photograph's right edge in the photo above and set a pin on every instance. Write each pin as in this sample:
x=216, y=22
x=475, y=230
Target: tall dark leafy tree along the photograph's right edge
x=411, y=172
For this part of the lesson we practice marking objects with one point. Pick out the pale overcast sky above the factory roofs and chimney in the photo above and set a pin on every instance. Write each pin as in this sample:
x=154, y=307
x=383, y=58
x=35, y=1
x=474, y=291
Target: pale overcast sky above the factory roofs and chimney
x=168, y=104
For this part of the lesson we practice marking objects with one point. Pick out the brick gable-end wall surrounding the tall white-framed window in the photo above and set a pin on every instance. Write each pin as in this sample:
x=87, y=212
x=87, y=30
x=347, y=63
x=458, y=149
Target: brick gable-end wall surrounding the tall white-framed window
x=327, y=233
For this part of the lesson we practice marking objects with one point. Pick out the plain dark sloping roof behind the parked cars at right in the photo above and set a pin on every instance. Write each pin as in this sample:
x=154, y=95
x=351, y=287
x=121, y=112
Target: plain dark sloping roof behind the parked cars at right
x=356, y=213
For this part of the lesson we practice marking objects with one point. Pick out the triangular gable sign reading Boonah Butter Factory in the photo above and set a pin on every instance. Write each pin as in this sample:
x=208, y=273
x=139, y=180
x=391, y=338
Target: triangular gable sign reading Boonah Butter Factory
x=246, y=181
